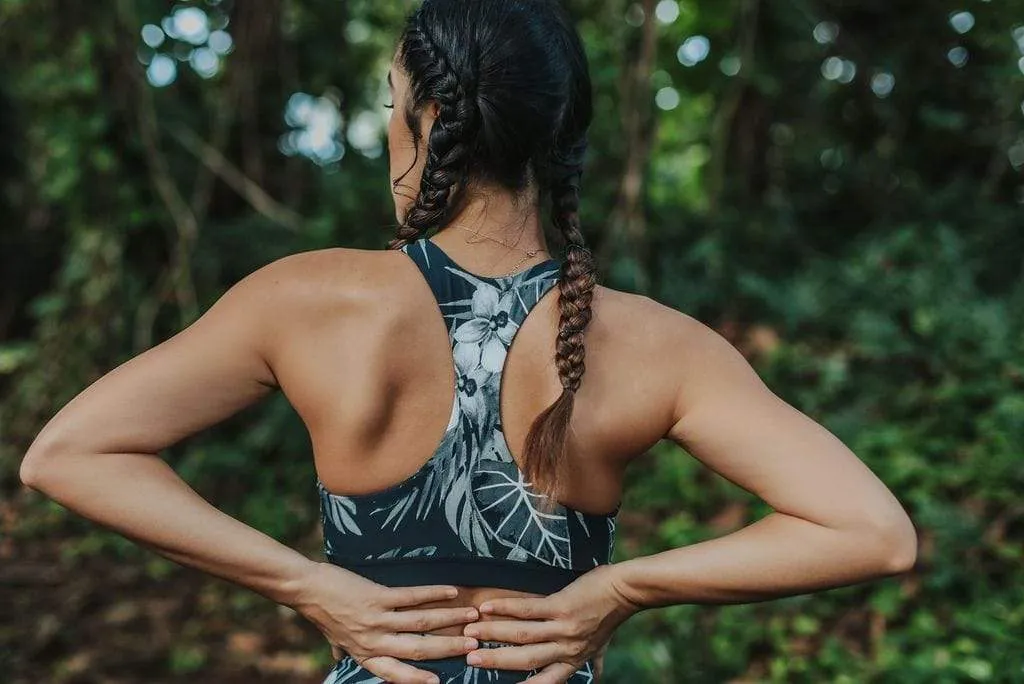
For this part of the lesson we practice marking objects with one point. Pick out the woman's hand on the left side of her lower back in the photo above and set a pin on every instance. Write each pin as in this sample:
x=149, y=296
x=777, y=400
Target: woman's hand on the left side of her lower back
x=378, y=625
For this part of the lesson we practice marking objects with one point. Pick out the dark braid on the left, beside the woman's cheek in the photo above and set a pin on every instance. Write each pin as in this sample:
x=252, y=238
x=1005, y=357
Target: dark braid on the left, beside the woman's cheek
x=449, y=146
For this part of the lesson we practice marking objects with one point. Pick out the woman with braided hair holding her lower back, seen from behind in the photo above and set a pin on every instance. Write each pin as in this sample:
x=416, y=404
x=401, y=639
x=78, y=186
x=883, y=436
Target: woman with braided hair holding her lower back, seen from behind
x=451, y=560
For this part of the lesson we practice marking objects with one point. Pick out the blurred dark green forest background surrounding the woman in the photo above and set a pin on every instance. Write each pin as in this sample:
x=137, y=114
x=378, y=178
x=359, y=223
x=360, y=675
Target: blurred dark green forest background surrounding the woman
x=836, y=187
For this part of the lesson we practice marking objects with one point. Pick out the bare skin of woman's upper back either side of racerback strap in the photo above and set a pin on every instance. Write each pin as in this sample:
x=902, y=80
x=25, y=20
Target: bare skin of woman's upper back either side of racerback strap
x=367, y=365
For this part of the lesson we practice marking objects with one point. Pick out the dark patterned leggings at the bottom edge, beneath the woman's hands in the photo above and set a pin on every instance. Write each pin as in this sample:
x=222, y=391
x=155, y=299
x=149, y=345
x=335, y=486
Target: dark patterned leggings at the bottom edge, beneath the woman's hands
x=451, y=671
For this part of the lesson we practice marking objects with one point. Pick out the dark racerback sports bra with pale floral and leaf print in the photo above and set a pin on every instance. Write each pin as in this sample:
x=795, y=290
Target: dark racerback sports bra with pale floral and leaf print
x=467, y=517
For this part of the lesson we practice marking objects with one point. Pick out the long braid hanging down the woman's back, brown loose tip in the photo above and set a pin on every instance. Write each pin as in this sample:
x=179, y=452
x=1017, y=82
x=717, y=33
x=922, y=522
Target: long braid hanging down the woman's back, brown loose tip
x=547, y=442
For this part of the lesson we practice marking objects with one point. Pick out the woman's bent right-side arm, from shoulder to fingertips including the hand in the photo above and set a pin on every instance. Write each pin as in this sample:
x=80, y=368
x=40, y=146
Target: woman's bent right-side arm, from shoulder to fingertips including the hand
x=834, y=523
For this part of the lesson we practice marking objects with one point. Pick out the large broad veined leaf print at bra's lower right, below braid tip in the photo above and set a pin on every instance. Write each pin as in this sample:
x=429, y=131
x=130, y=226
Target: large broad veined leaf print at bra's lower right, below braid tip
x=509, y=508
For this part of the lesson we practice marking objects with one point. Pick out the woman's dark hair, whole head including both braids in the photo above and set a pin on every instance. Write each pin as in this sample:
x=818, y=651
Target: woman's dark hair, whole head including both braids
x=514, y=91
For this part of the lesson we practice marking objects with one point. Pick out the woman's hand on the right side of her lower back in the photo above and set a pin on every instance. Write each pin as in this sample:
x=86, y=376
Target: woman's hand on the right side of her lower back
x=556, y=634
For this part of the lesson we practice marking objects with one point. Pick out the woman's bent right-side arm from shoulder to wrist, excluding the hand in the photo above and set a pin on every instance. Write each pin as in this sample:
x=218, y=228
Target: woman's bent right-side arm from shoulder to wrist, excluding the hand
x=834, y=522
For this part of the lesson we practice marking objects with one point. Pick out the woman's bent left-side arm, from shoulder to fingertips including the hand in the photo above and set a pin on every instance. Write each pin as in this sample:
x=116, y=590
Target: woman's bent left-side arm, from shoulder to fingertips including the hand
x=99, y=457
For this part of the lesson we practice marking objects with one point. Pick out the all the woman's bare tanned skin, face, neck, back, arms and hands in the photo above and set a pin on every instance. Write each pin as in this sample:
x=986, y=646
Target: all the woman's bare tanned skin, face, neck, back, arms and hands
x=354, y=341
